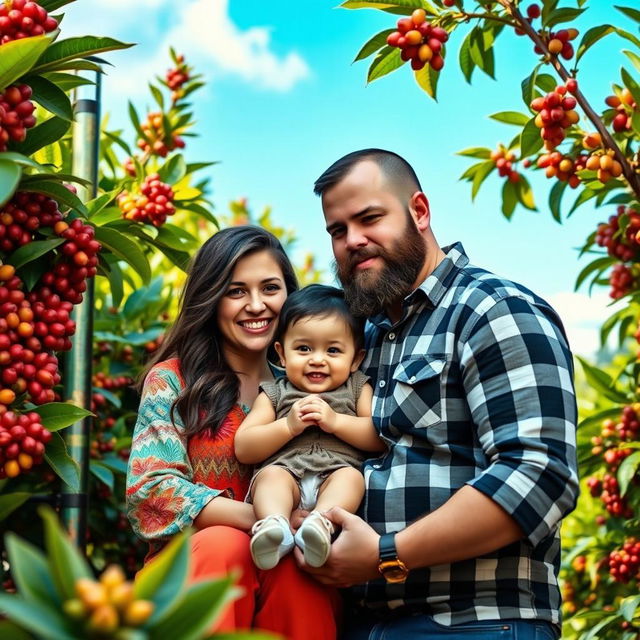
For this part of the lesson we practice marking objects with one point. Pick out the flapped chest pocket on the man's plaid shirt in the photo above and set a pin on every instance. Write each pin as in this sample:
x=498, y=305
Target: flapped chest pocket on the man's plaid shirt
x=417, y=393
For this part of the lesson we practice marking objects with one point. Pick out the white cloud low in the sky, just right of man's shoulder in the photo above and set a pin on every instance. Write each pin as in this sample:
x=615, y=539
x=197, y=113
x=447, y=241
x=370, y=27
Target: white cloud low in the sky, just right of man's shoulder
x=582, y=316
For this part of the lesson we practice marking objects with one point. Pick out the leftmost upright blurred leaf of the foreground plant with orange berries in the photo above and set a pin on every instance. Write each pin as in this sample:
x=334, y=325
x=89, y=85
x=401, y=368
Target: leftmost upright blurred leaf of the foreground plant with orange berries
x=31, y=572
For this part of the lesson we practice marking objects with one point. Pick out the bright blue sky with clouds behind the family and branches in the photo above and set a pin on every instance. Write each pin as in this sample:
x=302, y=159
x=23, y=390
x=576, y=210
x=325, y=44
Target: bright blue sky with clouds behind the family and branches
x=283, y=101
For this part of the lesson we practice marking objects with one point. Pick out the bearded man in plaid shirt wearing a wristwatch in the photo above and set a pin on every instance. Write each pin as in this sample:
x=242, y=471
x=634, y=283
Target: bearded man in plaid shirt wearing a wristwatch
x=474, y=397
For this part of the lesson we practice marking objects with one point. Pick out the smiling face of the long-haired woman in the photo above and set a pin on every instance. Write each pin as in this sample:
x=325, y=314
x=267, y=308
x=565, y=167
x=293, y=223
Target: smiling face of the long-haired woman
x=248, y=311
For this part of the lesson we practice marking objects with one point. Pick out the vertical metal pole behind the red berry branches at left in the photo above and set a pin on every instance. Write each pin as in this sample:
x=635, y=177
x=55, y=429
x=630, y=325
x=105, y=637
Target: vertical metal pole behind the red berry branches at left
x=78, y=363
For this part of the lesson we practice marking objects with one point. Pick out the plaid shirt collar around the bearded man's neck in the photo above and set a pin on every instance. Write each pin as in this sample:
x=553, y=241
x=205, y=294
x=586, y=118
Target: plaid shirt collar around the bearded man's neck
x=434, y=286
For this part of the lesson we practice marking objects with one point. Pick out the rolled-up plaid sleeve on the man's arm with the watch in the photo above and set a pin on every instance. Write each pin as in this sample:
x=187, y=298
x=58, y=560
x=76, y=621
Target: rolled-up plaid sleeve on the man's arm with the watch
x=518, y=375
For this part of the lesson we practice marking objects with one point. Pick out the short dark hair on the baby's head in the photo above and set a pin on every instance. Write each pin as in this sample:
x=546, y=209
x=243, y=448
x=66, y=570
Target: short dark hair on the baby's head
x=319, y=301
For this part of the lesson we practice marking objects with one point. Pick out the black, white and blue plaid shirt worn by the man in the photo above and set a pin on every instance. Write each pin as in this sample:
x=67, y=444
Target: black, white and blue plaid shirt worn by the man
x=473, y=386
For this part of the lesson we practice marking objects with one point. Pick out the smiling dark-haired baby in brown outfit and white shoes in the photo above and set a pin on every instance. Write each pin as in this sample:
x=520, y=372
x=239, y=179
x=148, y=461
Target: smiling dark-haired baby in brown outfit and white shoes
x=307, y=429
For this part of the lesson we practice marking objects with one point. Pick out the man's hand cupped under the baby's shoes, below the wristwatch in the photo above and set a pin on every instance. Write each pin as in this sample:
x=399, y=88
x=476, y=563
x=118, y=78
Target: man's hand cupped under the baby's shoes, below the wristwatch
x=354, y=554
